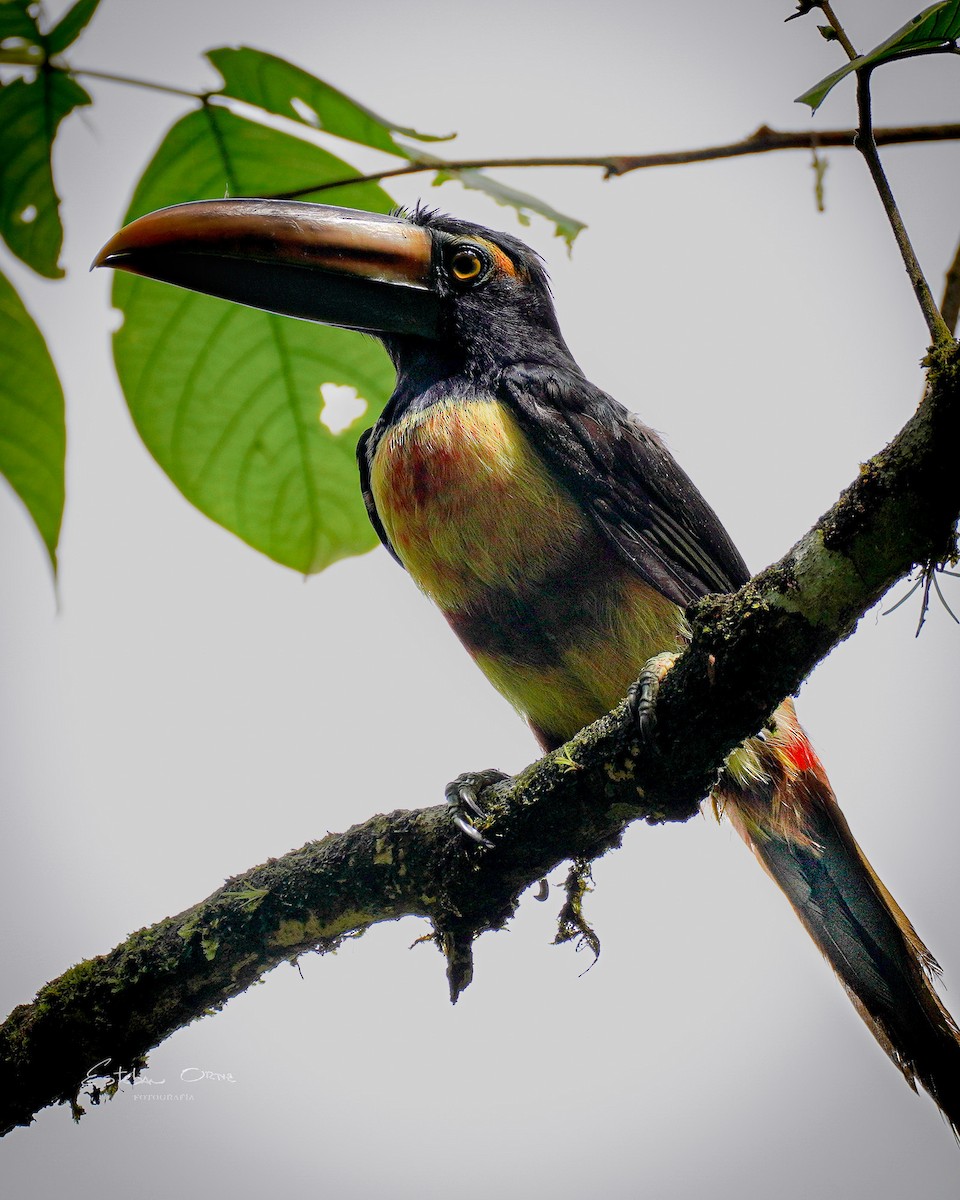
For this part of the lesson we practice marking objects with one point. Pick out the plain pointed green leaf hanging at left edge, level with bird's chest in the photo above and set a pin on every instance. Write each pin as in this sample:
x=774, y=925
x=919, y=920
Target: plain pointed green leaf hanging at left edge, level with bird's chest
x=33, y=433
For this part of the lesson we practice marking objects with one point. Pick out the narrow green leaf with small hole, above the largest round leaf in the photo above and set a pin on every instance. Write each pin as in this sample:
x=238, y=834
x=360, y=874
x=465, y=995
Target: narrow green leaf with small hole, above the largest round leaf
x=279, y=87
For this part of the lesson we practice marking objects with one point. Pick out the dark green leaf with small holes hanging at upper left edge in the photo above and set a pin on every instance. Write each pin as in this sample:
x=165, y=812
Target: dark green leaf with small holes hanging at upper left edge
x=29, y=206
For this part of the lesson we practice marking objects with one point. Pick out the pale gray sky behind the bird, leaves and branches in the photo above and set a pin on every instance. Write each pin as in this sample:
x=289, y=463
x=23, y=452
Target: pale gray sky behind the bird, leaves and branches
x=194, y=709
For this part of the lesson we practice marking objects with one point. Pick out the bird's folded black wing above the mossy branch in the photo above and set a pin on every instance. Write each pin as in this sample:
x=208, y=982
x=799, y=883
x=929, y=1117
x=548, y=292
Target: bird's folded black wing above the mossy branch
x=627, y=481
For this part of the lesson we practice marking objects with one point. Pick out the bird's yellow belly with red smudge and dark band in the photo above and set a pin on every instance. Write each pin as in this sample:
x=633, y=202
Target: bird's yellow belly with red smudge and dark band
x=554, y=619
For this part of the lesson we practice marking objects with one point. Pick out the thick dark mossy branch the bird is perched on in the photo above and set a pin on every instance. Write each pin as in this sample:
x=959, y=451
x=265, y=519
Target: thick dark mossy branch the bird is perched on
x=749, y=650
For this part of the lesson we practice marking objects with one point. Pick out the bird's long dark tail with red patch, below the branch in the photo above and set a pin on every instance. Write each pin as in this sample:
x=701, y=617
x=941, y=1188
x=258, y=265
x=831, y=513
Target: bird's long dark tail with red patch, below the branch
x=779, y=800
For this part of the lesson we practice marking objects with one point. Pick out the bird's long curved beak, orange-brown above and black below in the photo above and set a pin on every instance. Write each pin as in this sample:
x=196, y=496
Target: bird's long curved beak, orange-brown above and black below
x=340, y=267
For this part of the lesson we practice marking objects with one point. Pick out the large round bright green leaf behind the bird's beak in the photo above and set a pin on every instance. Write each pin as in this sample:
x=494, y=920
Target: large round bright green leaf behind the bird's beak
x=229, y=399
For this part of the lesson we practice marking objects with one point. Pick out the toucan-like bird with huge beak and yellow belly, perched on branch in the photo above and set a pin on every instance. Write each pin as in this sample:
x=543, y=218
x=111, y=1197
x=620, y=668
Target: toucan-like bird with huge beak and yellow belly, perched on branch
x=555, y=532
